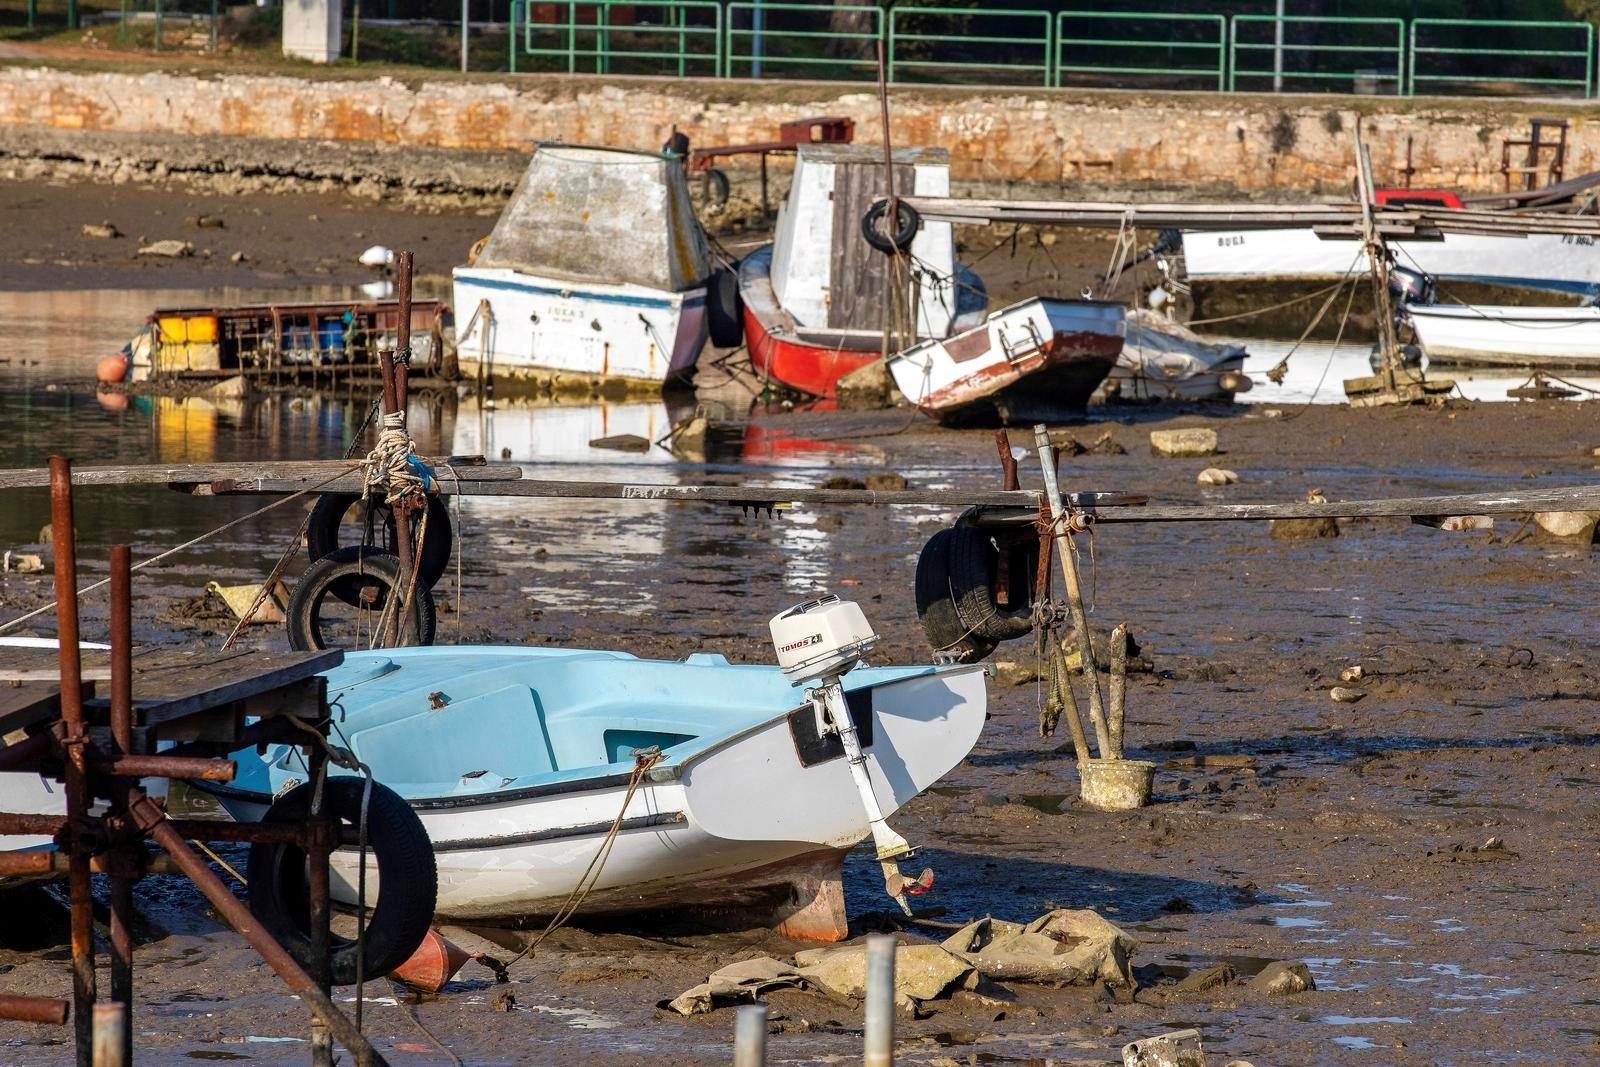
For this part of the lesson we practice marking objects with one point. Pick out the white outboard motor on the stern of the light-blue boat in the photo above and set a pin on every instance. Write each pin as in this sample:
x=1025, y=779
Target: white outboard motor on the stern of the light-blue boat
x=818, y=642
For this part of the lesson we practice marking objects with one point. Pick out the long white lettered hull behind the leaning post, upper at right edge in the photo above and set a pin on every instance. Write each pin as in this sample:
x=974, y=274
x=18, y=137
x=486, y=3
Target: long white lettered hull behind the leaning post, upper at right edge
x=1538, y=262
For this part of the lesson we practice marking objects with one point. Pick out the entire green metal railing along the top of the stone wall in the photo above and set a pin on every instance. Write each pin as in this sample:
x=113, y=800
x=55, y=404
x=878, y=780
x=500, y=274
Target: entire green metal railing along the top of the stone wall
x=753, y=39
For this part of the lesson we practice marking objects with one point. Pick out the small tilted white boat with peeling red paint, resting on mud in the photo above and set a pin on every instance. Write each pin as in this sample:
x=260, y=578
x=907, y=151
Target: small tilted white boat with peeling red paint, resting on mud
x=1036, y=361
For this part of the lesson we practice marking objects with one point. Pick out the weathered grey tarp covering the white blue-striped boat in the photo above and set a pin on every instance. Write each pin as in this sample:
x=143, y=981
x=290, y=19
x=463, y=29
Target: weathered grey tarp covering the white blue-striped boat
x=602, y=215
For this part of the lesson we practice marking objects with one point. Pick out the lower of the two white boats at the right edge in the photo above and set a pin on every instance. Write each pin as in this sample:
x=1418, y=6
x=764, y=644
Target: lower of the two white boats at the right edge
x=1473, y=335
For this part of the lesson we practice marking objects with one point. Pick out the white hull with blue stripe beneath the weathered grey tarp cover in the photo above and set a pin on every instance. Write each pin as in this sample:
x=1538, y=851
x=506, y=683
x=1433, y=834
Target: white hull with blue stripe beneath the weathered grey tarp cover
x=577, y=330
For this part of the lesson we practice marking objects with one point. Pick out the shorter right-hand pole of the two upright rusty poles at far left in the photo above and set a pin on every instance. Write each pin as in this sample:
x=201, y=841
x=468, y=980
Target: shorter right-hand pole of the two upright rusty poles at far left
x=126, y=861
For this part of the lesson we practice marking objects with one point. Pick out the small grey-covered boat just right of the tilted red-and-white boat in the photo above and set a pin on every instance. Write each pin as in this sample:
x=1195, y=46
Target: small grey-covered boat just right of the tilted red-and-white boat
x=1164, y=361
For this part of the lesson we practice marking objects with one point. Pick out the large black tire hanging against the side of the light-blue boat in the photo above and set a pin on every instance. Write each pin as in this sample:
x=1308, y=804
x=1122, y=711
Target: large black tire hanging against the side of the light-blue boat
x=281, y=898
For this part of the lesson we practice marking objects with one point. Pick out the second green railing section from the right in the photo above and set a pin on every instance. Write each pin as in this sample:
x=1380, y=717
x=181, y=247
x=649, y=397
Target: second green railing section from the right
x=1318, y=54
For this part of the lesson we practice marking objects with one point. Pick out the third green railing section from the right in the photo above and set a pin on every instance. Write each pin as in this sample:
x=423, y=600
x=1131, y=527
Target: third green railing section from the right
x=1151, y=47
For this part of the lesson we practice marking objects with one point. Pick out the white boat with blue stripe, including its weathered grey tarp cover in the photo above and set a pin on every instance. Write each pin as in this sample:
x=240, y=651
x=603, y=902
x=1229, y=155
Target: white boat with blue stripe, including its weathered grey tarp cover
x=596, y=273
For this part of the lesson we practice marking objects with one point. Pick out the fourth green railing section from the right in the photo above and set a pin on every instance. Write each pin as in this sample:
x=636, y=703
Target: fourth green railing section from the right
x=1007, y=46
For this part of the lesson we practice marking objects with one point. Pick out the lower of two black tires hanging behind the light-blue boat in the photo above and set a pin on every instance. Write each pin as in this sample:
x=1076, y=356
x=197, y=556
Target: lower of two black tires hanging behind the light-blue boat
x=361, y=580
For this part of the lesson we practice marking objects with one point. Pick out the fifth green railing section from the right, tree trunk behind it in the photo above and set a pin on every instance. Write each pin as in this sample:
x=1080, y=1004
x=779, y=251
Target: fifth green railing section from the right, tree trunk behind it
x=801, y=41
